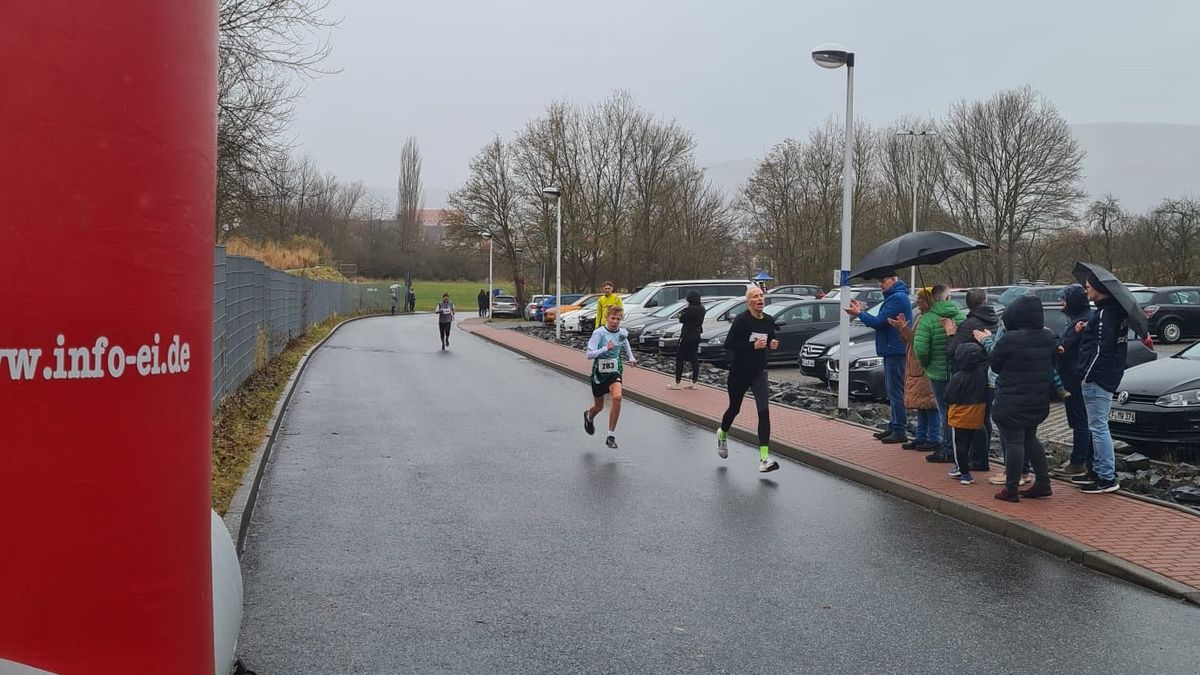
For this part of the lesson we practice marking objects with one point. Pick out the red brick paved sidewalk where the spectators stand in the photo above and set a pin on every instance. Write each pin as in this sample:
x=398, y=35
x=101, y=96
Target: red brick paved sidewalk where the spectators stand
x=1145, y=543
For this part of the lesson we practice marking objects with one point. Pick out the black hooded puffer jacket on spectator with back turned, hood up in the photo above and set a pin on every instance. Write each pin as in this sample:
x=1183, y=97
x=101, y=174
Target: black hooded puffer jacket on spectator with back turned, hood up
x=1023, y=361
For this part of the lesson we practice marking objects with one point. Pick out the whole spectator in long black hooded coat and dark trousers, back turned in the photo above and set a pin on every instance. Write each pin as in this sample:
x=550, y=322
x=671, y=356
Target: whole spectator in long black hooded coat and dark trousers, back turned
x=1024, y=365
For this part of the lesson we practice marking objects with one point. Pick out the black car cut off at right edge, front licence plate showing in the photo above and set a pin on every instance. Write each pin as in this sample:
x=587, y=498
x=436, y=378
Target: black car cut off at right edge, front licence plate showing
x=1160, y=403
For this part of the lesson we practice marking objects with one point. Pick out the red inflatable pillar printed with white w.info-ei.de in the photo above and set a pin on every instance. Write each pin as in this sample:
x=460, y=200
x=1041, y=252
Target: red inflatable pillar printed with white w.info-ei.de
x=107, y=183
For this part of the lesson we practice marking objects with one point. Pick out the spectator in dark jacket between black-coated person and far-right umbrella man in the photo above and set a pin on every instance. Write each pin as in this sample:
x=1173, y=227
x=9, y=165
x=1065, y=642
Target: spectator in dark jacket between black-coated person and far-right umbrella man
x=1075, y=304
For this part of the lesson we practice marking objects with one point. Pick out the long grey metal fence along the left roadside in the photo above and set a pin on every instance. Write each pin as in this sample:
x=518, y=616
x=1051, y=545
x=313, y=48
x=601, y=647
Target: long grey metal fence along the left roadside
x=257, y=310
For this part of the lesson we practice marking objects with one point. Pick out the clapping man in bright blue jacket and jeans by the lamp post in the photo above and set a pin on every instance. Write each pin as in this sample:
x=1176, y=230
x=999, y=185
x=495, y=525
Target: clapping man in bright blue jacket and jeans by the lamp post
x=890, y=347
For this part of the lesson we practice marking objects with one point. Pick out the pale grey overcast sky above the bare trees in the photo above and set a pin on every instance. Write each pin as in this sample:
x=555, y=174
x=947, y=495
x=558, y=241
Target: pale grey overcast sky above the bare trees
x=737, y=75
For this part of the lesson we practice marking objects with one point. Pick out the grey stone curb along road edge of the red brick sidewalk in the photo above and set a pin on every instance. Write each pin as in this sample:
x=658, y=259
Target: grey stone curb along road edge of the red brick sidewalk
x=999, y=524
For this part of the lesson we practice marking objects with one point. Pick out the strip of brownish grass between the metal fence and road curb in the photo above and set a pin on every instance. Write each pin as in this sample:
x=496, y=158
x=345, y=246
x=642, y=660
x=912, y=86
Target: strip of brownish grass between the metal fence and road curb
x=241, y=423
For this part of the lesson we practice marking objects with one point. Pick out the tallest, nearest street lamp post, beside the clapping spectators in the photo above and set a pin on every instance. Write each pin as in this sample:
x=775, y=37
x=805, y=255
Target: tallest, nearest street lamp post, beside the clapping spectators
x=835, y=57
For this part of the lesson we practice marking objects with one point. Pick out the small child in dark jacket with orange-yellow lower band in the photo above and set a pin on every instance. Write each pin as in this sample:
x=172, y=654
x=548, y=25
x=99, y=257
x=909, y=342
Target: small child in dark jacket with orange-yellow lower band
x=968, y=398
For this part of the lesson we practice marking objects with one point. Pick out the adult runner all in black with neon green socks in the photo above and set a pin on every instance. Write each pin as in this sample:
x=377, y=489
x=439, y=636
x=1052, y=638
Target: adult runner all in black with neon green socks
x=752, y=333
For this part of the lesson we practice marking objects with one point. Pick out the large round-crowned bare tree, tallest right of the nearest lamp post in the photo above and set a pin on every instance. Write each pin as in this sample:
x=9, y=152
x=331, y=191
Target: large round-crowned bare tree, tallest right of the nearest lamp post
x=1012, y=170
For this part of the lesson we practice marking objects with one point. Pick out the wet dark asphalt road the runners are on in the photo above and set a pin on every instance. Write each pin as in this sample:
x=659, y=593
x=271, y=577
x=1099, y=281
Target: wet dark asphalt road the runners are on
x=430, y=512
